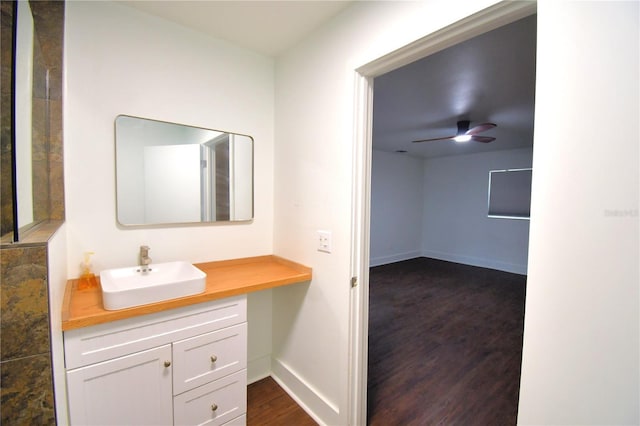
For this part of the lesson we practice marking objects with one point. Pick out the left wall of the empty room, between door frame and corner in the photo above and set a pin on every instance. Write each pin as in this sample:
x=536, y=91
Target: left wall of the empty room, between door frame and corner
x=396, y=207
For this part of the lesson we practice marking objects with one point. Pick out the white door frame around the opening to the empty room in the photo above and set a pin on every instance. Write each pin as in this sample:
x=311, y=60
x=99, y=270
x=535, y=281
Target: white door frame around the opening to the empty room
x=481, y=22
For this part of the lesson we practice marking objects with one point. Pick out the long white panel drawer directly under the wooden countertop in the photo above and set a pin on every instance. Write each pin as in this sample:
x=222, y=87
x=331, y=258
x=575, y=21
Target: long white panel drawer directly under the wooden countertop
x=101, y=342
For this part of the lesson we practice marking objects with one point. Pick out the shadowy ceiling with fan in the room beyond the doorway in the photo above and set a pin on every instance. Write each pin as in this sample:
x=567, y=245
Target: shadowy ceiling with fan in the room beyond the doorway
x=490, y=78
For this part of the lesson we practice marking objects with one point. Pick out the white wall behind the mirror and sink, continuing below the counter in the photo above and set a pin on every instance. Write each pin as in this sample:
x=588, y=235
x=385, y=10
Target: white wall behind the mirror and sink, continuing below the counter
x=121, y=61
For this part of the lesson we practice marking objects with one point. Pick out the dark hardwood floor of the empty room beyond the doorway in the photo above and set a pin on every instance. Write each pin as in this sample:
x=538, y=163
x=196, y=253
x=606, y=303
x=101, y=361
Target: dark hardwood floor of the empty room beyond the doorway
x=445, y=344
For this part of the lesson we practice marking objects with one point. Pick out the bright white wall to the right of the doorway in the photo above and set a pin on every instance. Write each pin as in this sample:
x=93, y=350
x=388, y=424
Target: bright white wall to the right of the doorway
x=581, y=338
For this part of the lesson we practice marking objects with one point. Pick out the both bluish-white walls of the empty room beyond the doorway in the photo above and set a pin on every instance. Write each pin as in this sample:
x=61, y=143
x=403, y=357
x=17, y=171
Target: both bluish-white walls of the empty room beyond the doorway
x=438, y=208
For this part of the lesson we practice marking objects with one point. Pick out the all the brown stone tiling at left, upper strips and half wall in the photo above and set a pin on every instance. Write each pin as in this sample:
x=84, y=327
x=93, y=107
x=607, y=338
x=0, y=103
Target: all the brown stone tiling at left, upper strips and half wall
x=26, y=394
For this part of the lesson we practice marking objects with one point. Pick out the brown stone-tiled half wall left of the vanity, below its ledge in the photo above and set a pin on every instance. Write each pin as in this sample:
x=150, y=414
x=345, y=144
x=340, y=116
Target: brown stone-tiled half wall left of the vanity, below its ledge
x=25, y=358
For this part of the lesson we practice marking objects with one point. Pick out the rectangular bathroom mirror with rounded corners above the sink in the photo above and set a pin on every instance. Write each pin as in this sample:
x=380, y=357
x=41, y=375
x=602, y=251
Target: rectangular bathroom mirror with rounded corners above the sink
x=168, y=173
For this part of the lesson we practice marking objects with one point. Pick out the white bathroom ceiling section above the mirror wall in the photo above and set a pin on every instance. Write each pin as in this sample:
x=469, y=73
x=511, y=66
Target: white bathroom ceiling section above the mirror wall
x=267, y=27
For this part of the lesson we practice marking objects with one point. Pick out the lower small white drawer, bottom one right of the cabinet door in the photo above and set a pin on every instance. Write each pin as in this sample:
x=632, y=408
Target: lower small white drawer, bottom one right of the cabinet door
x=227, y=395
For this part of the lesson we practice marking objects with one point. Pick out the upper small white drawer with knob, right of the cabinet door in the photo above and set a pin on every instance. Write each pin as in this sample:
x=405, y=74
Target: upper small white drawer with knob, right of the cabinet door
x=208, y=357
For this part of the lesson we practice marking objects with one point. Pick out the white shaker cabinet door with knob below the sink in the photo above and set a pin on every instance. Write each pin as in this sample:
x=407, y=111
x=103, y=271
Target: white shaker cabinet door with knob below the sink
x=130, y=390
